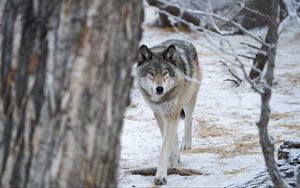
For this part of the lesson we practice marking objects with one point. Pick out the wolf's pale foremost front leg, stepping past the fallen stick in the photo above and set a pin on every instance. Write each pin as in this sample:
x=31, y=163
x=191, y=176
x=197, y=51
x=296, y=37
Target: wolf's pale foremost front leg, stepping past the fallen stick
x=170, y=131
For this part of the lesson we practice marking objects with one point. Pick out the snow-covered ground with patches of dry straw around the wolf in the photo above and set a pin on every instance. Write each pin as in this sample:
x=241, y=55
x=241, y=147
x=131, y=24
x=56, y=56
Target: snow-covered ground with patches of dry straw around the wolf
x=225, y=138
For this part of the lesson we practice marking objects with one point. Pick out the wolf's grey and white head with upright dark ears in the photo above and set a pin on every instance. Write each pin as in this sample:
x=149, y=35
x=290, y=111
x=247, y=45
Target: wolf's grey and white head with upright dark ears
x=157, y=69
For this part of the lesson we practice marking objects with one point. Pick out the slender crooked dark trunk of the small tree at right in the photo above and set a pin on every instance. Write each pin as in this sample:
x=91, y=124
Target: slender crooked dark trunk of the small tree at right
x=266, y=142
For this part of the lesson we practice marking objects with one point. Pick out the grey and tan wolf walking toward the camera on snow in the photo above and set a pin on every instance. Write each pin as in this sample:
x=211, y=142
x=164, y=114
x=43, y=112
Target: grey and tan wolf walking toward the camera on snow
x=168, y=76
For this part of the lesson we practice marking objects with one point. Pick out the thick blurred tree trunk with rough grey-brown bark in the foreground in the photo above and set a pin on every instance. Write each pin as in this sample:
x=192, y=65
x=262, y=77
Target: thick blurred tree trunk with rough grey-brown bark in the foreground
x=65, y=82
